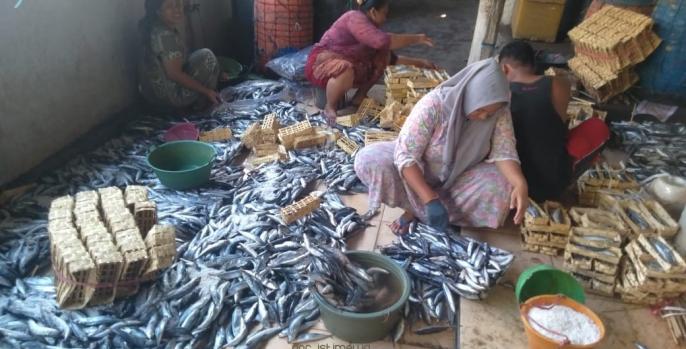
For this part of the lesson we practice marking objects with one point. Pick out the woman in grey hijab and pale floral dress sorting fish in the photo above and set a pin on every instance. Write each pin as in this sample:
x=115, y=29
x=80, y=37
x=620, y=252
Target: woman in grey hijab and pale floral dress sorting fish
x=455, y=160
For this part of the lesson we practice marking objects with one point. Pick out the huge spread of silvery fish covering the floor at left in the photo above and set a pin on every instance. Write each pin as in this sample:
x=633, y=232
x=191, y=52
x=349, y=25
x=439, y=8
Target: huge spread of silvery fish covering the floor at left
x=241, y=276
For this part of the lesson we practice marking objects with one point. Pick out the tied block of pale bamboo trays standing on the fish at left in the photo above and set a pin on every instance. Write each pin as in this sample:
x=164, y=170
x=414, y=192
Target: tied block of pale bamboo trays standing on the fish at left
x=97, y=248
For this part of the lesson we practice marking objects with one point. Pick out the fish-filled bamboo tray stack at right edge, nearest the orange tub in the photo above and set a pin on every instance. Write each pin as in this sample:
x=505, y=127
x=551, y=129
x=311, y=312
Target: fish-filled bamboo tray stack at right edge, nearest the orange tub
x=654, y=271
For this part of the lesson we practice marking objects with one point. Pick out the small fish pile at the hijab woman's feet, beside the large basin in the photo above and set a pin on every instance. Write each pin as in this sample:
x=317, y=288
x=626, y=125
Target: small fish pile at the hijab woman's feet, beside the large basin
x=443, y=265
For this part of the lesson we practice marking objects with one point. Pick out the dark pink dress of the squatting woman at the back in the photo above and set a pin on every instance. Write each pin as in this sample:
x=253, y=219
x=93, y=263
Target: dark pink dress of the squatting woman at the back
x=353, y=41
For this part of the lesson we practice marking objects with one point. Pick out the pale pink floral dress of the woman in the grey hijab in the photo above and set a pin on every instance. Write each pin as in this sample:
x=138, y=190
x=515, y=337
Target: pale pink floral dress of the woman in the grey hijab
x=479, y=197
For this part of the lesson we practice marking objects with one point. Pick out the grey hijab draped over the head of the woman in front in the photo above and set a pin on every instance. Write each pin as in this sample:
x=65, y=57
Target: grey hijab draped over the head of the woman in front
x=468, y=141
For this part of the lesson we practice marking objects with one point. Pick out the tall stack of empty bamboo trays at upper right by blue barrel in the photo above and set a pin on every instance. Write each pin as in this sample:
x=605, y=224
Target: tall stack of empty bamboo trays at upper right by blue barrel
x=607, y=46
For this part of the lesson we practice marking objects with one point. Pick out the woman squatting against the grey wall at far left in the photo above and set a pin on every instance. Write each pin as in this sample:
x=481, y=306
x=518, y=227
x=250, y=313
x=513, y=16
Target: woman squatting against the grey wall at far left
x=168, y=76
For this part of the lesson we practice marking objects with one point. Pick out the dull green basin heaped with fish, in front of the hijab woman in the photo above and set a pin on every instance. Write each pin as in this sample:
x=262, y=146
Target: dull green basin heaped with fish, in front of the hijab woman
x=367, y=327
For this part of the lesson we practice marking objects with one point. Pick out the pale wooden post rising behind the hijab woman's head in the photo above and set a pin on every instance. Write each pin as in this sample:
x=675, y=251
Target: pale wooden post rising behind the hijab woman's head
x=486, y=29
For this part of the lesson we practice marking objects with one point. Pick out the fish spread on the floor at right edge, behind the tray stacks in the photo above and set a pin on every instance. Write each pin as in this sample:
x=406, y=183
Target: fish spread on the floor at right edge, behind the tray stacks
x=654, y=148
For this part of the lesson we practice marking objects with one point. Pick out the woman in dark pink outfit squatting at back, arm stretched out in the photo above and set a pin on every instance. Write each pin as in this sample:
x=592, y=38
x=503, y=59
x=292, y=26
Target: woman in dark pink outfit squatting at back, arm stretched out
x=354, y=53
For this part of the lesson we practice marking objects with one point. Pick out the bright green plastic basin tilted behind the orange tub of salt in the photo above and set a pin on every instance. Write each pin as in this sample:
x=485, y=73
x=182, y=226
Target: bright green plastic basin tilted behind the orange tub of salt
x=544, y=279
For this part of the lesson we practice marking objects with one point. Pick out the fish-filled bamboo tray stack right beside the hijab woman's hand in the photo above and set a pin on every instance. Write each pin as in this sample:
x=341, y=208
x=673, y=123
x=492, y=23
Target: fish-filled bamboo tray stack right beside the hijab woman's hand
x=545, y=229
